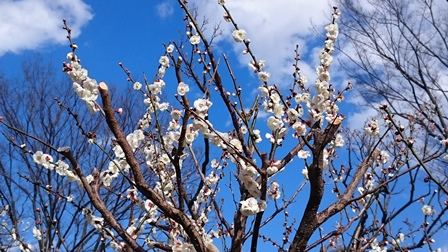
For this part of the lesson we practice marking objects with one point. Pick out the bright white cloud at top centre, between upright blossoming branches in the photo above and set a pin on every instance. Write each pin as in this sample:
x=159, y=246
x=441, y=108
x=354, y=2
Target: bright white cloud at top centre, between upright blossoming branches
x=274, y=28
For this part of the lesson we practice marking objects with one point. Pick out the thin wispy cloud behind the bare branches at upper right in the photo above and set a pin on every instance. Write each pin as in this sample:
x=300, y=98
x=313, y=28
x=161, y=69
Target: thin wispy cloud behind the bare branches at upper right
x=404, y=67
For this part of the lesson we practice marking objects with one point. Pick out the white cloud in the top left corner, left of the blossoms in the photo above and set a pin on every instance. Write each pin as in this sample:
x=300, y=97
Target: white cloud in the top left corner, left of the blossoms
x=32, y=24
